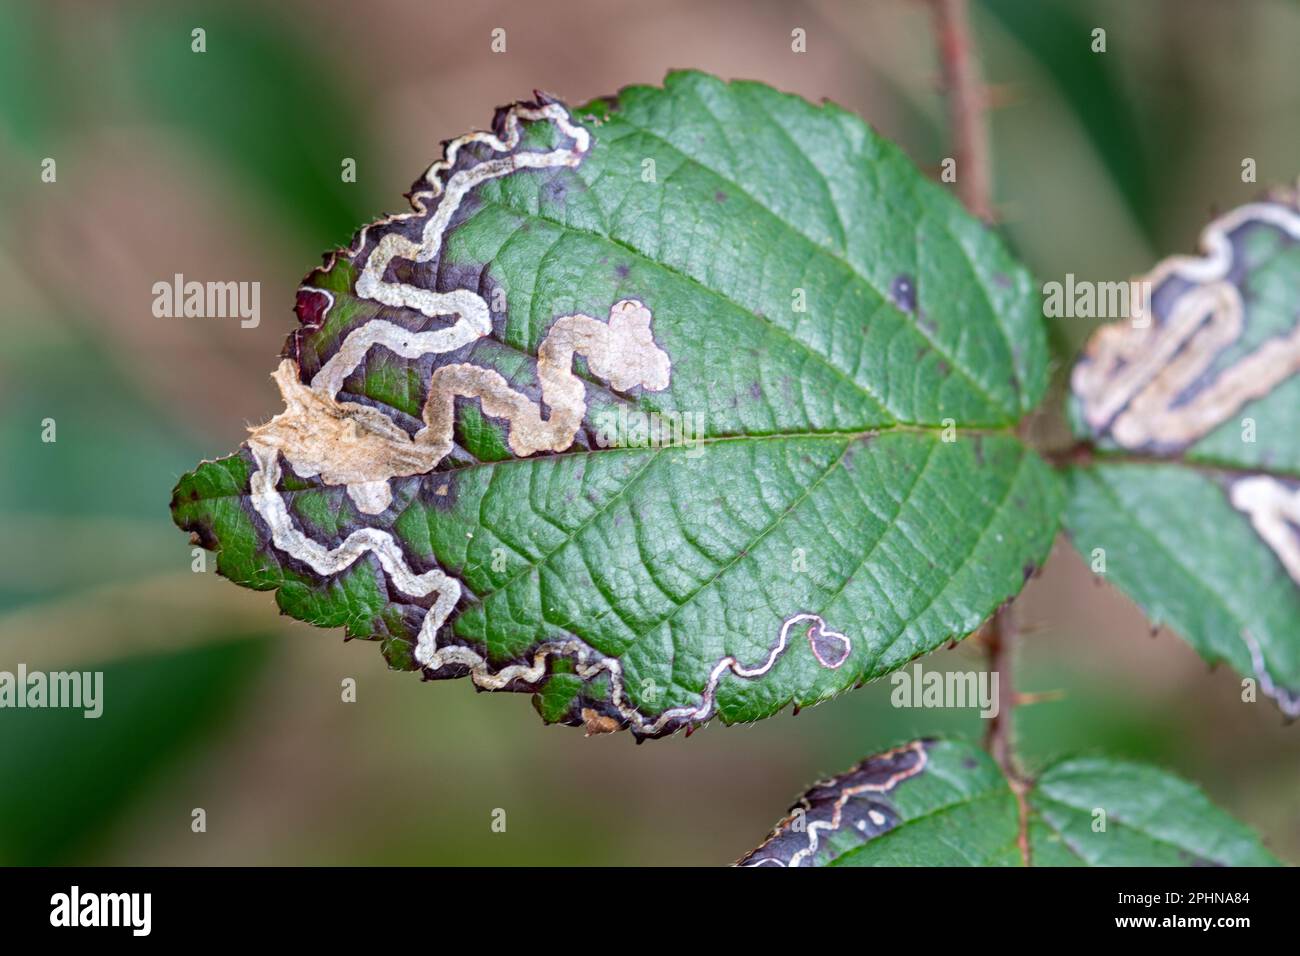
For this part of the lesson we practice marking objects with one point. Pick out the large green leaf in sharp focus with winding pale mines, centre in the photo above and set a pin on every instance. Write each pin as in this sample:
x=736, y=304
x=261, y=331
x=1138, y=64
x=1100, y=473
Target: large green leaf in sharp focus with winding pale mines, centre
x=725, y=419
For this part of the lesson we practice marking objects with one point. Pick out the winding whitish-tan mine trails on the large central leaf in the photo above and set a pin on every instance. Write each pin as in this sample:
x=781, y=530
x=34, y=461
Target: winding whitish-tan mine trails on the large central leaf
x=361, y=448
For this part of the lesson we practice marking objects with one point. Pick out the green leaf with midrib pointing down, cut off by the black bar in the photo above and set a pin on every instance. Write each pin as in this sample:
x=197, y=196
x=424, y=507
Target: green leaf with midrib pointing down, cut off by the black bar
x=946, y=803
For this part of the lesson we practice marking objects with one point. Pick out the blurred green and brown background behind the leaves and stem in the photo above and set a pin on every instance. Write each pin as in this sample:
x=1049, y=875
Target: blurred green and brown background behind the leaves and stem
x=226, y=166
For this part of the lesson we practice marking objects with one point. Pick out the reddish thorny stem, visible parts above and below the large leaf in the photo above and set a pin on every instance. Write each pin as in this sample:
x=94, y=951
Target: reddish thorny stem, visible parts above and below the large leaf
x=967, y=101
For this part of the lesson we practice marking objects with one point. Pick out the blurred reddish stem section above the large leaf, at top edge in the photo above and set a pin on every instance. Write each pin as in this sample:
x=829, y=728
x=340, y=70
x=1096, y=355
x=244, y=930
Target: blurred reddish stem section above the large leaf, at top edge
x=967, y=101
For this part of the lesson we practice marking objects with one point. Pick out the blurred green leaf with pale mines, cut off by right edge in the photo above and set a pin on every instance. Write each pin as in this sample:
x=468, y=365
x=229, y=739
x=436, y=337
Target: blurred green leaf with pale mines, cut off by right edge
x=1204, y=530
